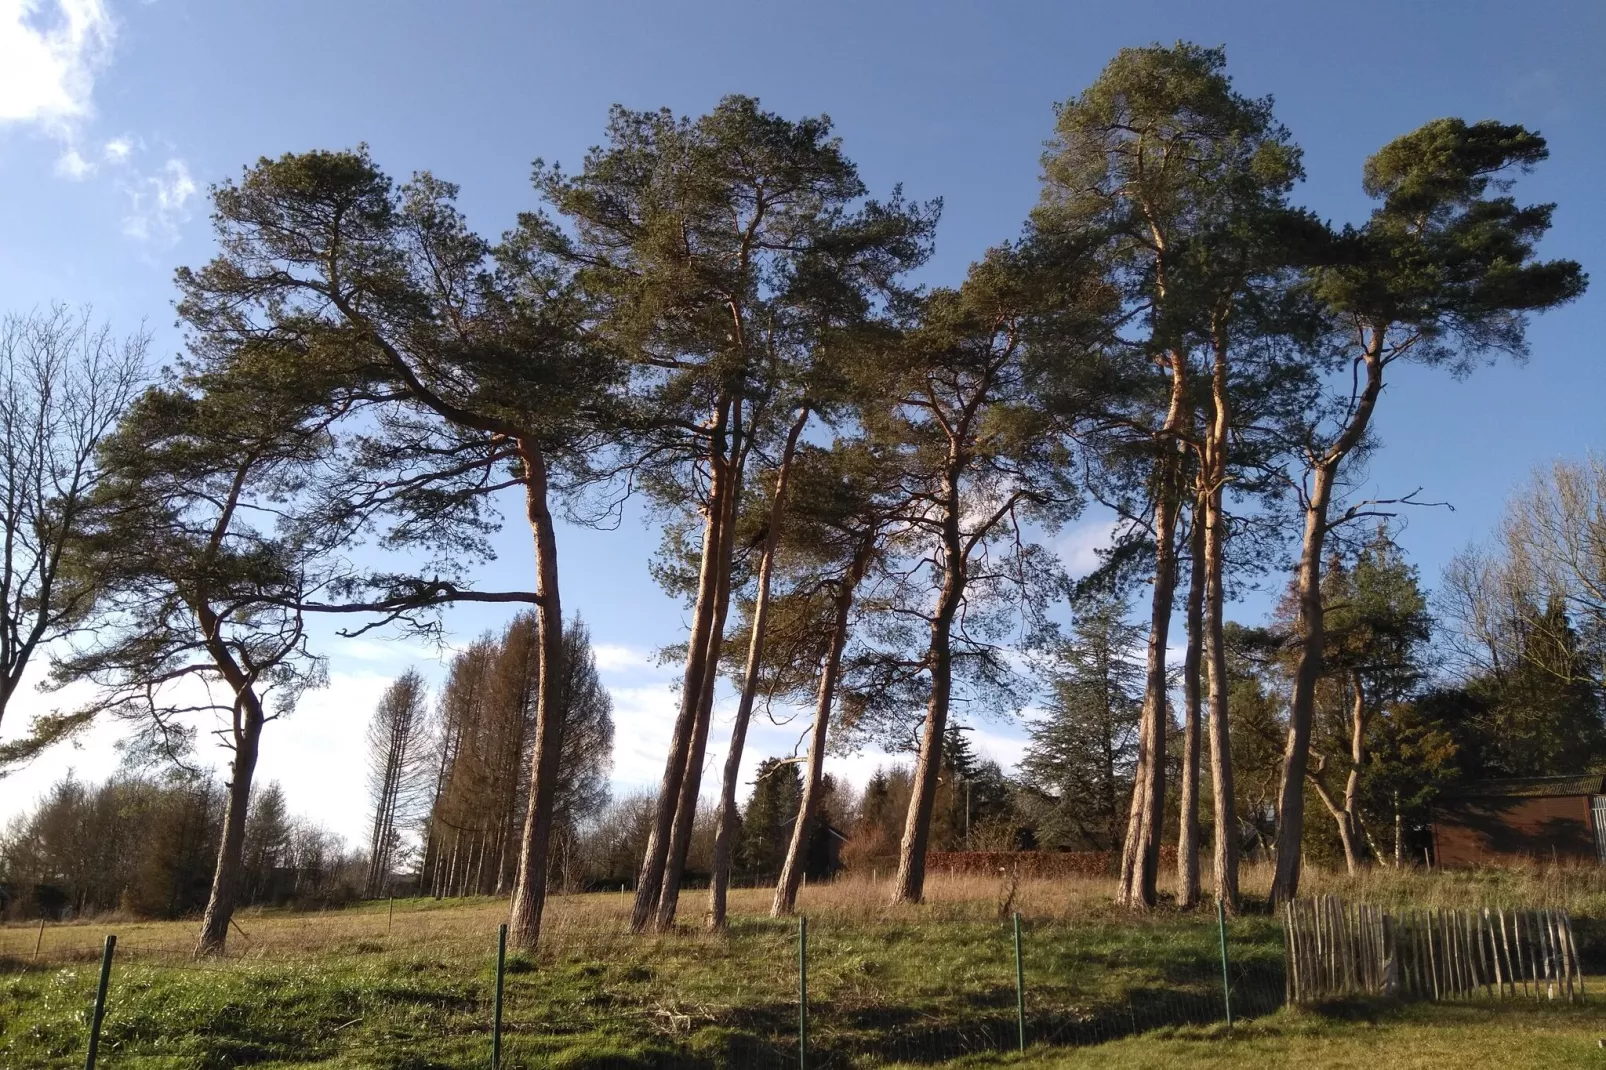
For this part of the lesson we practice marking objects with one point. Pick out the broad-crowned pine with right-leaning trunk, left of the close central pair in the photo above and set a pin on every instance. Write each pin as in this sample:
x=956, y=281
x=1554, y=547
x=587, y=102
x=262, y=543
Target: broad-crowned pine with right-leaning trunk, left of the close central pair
x=714, y=251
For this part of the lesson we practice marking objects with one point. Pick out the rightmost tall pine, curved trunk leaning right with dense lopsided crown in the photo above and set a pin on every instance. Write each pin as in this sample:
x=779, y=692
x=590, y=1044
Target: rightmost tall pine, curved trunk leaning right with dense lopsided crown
x=1445, y=274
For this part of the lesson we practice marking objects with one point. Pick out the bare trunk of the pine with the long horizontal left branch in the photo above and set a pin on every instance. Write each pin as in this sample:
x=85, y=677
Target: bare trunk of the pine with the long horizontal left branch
x=529, y=894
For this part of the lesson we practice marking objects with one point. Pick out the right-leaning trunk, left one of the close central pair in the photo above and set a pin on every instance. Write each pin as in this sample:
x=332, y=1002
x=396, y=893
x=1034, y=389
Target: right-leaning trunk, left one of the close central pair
x=650, y=883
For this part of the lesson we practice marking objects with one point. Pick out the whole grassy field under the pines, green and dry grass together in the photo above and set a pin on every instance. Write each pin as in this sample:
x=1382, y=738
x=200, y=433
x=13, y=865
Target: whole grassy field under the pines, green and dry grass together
x=887, y=987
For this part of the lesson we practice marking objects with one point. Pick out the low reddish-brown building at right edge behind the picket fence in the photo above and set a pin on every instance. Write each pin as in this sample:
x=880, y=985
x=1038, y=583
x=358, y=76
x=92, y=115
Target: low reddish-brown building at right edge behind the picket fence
x=1539, y=817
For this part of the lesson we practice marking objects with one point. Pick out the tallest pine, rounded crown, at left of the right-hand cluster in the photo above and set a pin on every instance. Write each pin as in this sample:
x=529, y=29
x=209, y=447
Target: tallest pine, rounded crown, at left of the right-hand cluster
x=1162, y=161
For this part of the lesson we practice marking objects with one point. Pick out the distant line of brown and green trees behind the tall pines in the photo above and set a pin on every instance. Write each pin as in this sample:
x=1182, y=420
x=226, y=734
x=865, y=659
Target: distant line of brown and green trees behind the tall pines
x=1465, y=684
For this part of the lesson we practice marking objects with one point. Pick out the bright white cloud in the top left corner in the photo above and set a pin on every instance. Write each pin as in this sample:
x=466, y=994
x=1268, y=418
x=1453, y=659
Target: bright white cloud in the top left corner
x=49, y=59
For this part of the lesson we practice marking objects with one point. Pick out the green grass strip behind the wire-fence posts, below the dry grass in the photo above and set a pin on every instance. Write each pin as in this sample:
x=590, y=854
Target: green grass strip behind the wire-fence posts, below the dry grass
x=879, y=990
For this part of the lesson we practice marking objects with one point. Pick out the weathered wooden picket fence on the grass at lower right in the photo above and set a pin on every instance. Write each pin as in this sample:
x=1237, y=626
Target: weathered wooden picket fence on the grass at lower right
x=1335, y=949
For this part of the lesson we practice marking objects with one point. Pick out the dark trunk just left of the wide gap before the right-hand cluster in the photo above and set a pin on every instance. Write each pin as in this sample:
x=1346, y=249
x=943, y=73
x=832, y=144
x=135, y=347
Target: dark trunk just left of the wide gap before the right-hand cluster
x=910, y=886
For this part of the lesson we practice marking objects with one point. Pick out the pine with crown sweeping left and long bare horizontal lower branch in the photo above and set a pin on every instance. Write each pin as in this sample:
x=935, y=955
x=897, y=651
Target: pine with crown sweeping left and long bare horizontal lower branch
x=468, y=356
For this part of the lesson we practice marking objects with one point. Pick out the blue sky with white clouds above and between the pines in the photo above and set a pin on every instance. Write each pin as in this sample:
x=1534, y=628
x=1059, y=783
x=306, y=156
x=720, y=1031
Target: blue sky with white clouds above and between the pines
x=115, y=116
